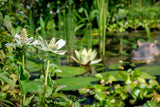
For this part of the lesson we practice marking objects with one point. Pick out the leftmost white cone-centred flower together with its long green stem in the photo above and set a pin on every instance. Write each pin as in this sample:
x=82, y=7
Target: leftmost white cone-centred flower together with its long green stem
x=22, y=41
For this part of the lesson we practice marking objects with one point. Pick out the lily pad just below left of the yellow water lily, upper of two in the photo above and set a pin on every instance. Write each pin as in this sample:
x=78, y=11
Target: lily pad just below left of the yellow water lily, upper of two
x=69, y=71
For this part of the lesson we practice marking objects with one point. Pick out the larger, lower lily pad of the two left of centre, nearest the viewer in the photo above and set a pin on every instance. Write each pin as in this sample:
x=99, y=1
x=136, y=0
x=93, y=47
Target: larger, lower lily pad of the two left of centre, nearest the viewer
x=74, y=83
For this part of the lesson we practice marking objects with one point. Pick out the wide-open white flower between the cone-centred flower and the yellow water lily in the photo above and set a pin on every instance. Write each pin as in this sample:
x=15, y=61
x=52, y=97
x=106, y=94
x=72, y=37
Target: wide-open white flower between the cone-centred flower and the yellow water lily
x=53, y=46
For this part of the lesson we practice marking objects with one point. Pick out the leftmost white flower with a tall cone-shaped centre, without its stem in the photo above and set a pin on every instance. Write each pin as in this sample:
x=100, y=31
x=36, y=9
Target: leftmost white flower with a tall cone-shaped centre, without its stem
x=22, y=40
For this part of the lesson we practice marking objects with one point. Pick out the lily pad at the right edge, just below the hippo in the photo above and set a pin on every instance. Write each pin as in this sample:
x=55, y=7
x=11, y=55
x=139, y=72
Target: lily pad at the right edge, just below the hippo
x=153, y=70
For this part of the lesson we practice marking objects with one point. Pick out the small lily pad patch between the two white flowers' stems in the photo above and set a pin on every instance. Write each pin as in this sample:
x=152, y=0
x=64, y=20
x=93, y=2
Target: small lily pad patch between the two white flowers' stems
x=33, y=66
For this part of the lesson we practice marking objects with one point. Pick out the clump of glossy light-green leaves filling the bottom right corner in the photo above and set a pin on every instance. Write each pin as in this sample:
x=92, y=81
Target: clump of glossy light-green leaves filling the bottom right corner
x=133, y=90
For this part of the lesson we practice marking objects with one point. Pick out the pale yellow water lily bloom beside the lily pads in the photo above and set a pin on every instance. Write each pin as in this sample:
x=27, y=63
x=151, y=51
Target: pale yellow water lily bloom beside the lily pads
x=85, y=57
